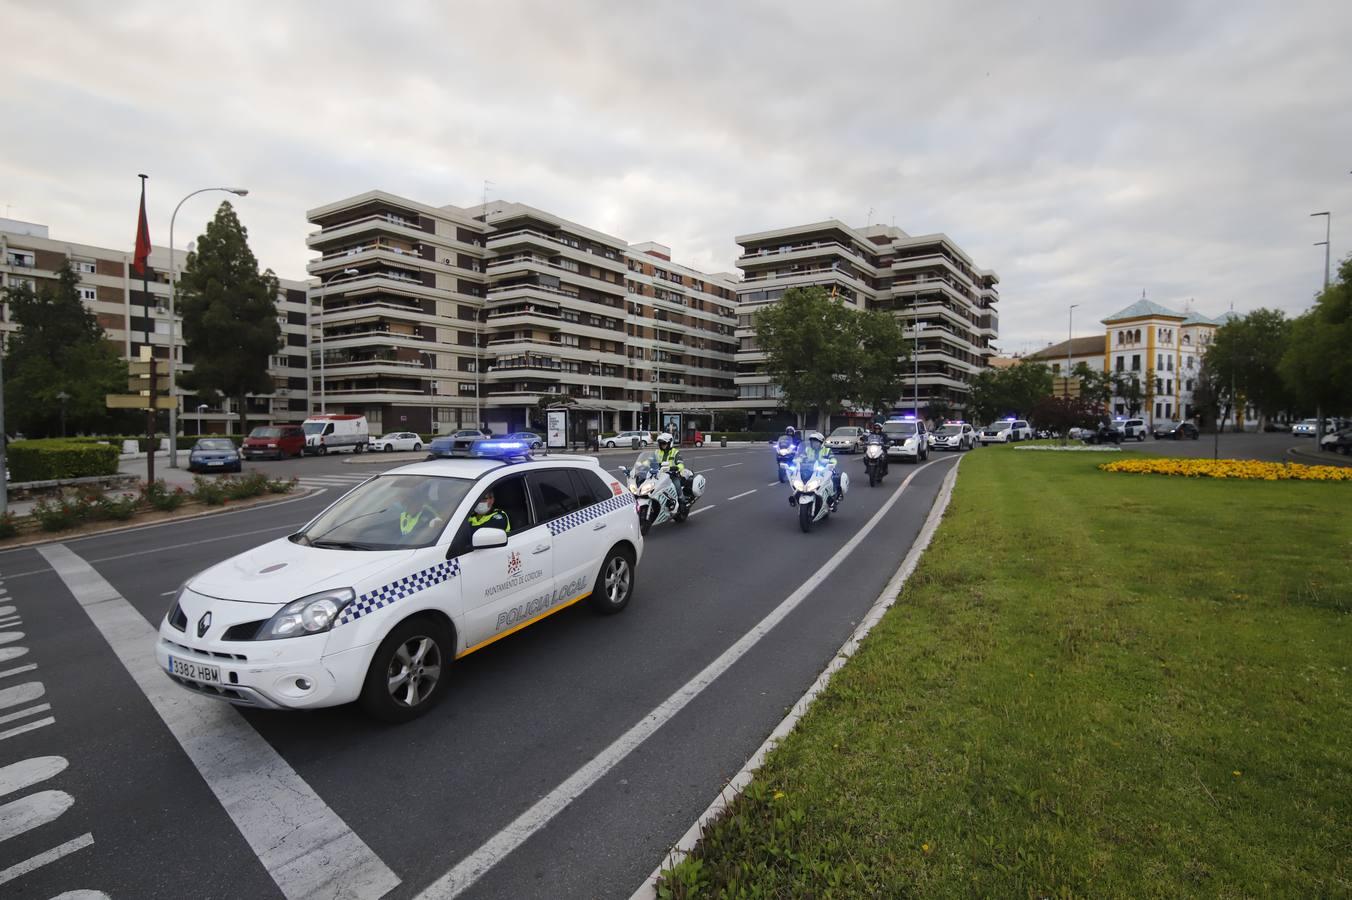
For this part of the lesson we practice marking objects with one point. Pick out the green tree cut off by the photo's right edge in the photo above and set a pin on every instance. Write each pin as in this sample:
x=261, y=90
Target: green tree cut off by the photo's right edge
x=1318, y=364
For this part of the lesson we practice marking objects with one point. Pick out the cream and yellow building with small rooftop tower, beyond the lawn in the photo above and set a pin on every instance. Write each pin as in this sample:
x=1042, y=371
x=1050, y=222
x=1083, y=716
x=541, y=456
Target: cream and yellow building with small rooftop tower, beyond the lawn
x=1163, y=351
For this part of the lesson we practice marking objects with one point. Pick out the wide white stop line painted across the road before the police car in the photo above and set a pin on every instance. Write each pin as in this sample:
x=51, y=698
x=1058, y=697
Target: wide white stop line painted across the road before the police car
x=304, y=845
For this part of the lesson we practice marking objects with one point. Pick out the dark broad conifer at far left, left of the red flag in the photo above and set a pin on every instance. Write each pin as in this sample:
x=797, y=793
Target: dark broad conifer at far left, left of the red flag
x=60, y=348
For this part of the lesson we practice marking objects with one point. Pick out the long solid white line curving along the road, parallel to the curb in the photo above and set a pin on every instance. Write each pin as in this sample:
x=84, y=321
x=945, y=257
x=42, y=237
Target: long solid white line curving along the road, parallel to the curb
x=521, y=829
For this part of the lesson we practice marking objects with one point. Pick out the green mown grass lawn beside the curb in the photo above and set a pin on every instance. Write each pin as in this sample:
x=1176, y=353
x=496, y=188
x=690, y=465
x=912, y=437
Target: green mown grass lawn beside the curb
x=1094, y=686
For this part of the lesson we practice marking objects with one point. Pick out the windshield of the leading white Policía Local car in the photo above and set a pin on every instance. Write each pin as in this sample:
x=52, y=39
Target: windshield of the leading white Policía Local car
x=390, y=513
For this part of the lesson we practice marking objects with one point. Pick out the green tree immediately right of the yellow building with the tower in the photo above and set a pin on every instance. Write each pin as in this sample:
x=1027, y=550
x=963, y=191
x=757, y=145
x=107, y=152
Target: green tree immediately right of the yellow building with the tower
x=1249, y=353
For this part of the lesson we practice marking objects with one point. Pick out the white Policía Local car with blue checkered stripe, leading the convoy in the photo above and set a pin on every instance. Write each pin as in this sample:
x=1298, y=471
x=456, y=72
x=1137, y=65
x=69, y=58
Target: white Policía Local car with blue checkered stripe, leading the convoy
x=382, y=591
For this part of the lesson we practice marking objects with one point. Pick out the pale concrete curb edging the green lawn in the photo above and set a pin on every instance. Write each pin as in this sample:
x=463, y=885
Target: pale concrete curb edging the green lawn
x=648, y=891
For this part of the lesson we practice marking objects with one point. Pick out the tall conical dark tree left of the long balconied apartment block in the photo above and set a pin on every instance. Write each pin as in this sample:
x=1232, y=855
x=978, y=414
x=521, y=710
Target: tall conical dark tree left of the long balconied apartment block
x=229, y=316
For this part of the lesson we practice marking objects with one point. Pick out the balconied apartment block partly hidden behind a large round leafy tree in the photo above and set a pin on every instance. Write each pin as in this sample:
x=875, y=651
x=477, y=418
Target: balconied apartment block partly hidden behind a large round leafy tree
x=944, y=302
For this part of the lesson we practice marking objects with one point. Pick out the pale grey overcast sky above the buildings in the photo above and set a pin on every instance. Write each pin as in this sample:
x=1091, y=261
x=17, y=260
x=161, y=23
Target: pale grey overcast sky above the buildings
x=1082, y=151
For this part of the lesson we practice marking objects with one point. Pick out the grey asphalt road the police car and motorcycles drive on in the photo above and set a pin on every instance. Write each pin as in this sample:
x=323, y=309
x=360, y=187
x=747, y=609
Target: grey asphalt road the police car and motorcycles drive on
x=116, y=805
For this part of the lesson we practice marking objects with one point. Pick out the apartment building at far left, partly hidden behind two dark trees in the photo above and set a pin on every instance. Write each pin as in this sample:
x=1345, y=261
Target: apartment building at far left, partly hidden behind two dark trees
x=114, y=294
